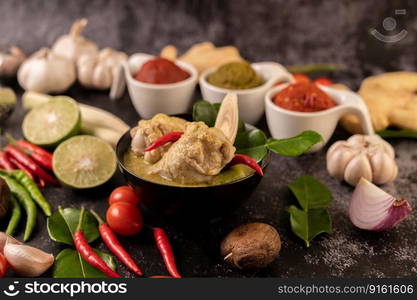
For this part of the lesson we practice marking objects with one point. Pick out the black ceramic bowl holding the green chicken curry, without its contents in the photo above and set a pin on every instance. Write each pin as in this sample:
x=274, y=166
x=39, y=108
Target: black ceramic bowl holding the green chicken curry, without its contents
x=206, y=201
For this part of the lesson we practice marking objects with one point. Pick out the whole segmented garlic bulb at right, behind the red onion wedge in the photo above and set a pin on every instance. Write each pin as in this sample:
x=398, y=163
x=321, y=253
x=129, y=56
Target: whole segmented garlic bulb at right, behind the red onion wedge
x=367, y=156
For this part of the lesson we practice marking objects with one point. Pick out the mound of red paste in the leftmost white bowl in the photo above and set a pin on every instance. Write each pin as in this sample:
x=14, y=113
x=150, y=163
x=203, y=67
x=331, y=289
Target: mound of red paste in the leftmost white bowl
x=161, y=71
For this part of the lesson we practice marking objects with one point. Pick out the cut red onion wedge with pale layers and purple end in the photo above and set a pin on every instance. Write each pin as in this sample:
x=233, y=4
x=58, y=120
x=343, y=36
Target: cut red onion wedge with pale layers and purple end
x=373, y=209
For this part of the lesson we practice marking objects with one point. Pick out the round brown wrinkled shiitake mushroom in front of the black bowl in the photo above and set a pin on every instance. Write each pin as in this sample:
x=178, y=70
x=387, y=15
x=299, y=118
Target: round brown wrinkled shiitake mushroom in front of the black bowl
x=251, y=246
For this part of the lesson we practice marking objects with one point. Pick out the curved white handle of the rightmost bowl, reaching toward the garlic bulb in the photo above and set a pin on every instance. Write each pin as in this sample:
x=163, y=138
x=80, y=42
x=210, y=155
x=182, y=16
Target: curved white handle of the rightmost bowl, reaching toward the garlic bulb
x=355, y=105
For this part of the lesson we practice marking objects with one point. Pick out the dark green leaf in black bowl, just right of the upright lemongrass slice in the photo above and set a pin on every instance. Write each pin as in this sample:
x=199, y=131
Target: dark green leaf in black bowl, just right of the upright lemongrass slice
x=252, y=143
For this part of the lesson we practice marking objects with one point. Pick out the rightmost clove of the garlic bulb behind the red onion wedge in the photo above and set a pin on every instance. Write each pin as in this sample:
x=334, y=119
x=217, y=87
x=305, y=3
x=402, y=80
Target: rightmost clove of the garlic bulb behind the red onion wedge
x=384, y=167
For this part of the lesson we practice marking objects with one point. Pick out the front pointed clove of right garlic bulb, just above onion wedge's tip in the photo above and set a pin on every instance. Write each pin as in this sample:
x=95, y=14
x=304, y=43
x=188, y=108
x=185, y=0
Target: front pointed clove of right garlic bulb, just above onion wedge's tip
x=358, y=167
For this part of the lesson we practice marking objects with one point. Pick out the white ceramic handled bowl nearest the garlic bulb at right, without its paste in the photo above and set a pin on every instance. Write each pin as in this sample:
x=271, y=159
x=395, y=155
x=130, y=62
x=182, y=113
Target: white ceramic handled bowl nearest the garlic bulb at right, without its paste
x=283, y=123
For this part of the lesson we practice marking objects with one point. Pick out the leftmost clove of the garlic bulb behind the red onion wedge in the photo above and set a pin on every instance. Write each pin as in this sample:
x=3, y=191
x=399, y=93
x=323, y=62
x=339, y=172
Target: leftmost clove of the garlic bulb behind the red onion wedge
x=338, y=159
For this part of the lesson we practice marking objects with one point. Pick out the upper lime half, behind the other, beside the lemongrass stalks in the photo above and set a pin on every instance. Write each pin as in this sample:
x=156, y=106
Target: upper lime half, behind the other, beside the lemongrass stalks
x=52, y=122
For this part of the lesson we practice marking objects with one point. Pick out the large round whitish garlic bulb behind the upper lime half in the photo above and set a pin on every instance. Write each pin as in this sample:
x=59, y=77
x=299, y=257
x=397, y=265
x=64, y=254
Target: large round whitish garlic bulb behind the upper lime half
x=46, y=72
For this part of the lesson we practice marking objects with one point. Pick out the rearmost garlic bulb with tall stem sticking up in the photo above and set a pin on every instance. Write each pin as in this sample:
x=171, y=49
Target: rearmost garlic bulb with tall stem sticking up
x=73, y=45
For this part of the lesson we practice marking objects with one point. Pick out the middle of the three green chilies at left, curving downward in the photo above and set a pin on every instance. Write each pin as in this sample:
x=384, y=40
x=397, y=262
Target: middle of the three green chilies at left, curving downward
x=26, y=201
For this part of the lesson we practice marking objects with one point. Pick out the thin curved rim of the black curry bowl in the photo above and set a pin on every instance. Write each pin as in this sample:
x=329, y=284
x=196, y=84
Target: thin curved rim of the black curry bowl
x=264, y=163
